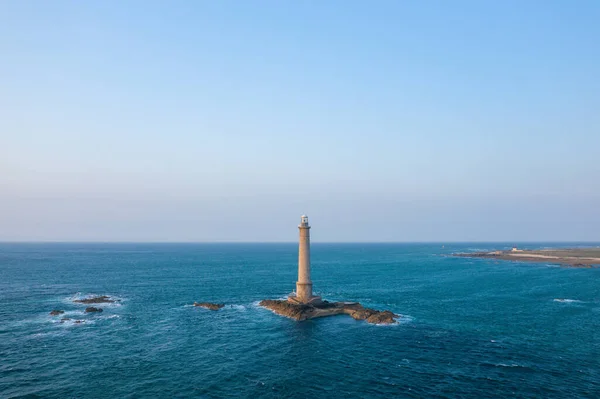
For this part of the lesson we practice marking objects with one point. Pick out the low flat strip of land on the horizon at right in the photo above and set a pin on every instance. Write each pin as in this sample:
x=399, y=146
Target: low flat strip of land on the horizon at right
x=568, y=257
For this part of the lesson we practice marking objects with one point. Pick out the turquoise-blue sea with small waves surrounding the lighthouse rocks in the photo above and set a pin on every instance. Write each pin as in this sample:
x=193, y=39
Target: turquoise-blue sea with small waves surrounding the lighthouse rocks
x=472, y=328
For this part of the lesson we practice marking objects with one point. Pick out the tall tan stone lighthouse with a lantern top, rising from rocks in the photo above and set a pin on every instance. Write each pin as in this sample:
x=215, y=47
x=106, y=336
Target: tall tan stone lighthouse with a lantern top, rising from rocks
x=303, y=292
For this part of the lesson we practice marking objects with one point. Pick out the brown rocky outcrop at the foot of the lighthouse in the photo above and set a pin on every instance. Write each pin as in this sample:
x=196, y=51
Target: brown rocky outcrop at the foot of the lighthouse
x=325, y=308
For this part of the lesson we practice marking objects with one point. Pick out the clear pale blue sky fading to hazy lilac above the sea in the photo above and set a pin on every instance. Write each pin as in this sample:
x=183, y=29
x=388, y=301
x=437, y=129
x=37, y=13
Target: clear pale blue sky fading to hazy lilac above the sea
x=226, y=121
